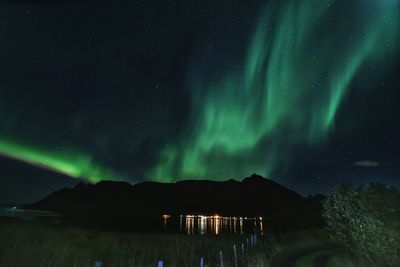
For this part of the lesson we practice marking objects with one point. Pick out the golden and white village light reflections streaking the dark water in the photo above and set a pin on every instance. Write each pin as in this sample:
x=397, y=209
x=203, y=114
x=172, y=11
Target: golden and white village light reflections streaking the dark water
x=202, y=224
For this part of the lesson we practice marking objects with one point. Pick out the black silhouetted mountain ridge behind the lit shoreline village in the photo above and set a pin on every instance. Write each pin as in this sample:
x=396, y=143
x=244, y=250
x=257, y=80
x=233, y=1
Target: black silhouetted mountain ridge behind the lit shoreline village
x=122, y=204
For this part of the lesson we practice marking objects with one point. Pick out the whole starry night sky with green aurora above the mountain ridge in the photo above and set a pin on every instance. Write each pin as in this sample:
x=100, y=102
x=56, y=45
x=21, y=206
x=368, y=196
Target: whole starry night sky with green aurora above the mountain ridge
x=304, y=92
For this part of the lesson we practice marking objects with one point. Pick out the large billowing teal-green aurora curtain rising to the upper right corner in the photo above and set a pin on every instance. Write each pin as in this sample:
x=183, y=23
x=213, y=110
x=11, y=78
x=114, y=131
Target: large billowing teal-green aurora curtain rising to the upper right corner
x=299, y=65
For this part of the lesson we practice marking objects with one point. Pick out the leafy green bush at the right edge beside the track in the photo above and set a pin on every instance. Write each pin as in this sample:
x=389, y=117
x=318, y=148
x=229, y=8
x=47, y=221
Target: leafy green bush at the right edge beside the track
x=367, y=220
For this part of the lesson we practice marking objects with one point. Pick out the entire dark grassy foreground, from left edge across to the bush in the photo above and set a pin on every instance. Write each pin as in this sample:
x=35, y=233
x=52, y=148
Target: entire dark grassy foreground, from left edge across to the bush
x=42, y=244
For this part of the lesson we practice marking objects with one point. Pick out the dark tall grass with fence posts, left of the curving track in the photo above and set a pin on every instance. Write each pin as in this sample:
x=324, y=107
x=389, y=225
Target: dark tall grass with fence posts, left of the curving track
x=37, y=244
